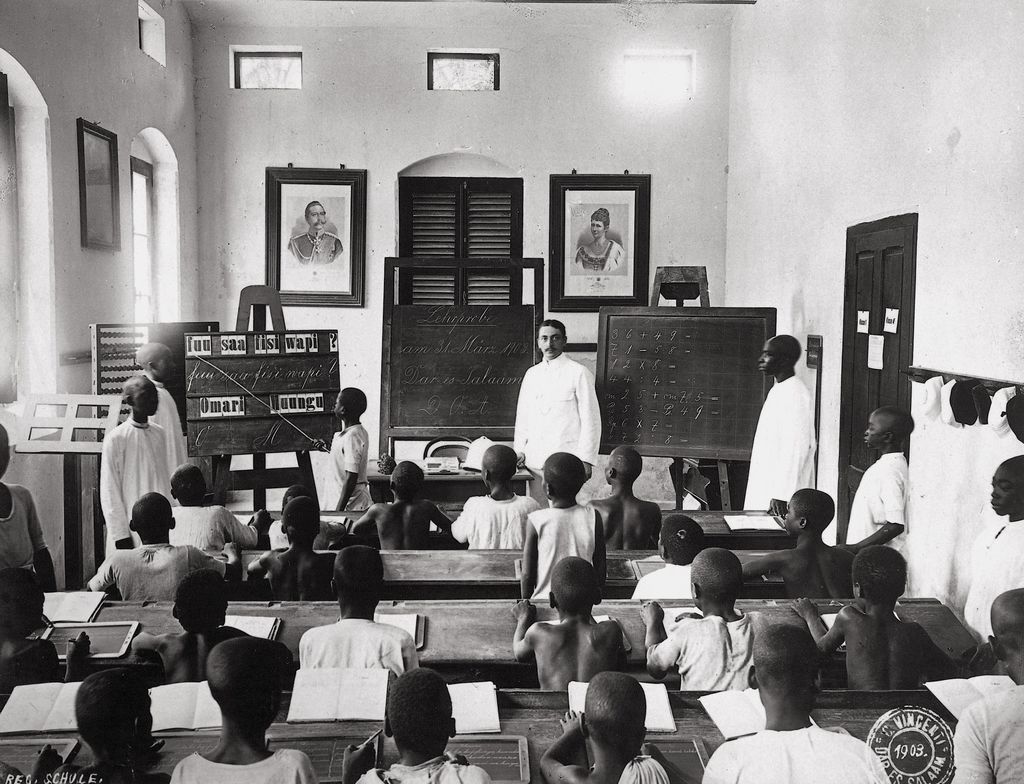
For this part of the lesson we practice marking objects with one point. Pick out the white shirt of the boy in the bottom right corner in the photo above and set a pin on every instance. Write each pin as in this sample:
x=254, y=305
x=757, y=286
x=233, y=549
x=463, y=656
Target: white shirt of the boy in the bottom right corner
x=989, y=746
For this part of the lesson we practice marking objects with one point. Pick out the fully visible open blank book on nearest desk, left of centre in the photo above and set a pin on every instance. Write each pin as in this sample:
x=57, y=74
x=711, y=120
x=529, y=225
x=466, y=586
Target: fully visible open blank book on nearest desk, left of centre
x=336, y=694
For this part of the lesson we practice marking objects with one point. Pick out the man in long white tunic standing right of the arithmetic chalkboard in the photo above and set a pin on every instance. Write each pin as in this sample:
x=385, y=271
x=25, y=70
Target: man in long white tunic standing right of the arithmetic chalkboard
x=783, y=457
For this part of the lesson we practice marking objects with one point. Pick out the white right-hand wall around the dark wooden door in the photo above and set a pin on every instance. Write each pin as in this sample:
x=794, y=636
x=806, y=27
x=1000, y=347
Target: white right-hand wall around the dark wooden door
x=842, y=113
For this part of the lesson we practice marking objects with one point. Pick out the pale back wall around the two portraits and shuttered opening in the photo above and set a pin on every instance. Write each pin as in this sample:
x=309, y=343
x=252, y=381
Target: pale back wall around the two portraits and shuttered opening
x=365, y=104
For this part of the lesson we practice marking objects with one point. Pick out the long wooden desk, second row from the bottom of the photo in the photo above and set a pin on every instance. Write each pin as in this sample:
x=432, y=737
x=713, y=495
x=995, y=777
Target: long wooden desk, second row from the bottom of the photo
x=474, y=640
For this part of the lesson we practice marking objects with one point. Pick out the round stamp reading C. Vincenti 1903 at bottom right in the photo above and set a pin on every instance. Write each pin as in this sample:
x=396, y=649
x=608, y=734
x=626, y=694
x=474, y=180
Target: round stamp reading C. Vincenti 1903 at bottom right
x=916, y=747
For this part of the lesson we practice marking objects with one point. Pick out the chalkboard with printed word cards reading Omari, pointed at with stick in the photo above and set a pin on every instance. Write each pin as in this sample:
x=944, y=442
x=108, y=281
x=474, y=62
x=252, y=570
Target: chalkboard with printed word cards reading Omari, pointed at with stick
x=251, y=394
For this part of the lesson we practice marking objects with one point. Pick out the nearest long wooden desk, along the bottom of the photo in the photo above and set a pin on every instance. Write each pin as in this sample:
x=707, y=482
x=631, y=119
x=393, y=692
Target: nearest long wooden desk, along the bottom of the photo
x=535, y=715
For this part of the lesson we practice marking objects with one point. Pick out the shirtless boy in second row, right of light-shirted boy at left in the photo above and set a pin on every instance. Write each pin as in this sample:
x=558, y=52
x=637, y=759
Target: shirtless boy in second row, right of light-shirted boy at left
x=301, y=574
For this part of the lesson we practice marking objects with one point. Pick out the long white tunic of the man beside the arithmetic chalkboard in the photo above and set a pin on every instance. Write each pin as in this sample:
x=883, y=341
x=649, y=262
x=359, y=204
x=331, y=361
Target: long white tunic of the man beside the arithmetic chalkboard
x=783, y=456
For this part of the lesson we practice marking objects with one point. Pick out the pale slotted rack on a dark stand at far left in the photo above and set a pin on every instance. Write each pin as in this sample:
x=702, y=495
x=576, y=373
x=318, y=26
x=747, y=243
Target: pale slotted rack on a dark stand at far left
x=83, y=538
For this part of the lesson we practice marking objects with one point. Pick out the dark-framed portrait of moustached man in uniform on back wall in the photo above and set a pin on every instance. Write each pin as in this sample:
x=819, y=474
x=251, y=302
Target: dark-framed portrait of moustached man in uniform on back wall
x=317, y=236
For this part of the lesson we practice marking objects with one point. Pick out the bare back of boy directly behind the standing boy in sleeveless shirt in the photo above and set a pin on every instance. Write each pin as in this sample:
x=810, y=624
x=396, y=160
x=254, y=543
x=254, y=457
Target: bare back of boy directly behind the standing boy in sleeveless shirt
x=575, y=651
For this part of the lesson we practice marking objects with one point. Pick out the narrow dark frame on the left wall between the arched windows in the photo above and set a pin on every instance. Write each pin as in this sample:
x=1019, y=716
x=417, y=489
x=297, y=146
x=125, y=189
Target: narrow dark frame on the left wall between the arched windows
x=99, y=188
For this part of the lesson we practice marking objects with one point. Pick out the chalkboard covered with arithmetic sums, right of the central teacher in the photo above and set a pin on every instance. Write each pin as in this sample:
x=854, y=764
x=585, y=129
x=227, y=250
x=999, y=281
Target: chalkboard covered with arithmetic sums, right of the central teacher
x=682, y=382
